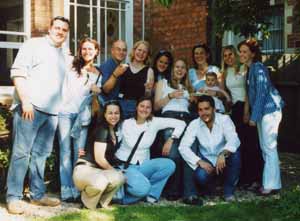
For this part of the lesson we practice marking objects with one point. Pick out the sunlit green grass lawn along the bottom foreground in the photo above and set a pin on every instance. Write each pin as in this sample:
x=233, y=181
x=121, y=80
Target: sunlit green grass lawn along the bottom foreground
x=245, y=211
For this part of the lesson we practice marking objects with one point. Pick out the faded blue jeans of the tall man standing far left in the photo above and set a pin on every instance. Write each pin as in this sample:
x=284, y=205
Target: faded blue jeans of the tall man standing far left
x=32, y=144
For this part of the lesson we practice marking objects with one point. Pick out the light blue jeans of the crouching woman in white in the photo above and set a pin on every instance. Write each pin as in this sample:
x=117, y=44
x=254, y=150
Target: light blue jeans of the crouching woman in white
x=147, y=179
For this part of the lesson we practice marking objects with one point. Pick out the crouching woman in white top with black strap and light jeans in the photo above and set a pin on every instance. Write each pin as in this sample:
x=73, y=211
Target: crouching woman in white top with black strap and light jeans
x=146, y=177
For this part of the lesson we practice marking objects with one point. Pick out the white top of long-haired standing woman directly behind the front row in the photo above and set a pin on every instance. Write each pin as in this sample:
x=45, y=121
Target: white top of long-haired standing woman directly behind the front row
x=175, y=104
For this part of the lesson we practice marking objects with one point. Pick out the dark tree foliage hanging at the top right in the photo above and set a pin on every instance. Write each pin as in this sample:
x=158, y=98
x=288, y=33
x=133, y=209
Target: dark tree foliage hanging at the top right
x=243, y=17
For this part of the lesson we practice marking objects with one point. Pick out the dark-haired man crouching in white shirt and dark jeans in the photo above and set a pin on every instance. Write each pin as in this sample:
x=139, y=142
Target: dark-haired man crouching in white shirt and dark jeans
x=217, y=152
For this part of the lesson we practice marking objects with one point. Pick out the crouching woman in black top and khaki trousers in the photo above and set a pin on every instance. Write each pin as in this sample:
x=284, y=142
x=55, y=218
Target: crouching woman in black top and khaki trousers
x=94, y=174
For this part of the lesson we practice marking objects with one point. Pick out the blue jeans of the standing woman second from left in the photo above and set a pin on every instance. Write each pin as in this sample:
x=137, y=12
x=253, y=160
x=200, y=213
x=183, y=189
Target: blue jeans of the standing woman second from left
x=69, y=146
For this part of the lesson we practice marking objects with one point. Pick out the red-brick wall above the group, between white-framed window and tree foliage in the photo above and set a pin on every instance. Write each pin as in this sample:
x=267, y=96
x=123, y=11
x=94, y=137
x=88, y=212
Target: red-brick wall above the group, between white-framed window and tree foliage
x=177, y=28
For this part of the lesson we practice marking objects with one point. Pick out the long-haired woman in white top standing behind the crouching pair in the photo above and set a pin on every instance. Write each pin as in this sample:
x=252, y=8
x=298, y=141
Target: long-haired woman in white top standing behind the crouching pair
x=172, y=97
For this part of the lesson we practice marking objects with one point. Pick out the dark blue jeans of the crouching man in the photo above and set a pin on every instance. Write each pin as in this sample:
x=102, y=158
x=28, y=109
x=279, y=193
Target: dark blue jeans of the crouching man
x=231, y=174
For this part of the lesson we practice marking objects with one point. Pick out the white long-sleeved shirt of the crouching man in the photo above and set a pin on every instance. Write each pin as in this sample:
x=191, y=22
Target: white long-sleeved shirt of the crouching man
x=211, y=143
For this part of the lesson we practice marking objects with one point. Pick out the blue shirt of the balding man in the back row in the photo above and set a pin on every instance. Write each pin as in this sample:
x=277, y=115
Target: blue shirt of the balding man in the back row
x=107, y=68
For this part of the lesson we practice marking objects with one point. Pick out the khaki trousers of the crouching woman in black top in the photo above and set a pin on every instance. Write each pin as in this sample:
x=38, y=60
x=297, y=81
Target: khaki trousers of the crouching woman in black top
x=97, y=185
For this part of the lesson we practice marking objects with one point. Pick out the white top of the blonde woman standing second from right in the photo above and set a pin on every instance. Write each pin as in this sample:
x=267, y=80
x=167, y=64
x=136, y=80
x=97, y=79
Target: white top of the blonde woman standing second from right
x=236, y=84
